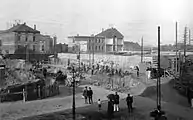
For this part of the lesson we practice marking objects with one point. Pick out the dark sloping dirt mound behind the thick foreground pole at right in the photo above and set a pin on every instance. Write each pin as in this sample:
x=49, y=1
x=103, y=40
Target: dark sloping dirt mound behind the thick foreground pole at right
x=168, y=94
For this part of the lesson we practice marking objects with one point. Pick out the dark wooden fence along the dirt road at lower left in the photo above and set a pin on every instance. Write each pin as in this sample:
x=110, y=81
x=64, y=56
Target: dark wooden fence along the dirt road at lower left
x=28, y=94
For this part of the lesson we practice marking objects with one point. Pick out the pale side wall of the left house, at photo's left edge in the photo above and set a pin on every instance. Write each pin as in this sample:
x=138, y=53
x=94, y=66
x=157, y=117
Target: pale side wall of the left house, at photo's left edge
x=7, y=43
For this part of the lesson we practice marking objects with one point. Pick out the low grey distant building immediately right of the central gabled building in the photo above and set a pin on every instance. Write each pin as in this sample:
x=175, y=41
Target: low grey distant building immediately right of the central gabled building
x=131, y=46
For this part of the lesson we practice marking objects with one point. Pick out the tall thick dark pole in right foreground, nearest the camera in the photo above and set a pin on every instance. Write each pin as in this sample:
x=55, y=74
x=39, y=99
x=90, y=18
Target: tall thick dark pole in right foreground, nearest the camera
x=158, y=79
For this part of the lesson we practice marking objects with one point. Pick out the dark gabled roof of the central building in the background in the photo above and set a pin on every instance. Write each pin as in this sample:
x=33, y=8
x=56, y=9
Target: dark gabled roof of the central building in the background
x=110, y=33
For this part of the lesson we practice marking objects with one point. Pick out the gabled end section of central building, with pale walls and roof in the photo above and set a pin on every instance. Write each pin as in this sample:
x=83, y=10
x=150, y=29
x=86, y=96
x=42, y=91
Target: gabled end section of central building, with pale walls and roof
x=113, y=40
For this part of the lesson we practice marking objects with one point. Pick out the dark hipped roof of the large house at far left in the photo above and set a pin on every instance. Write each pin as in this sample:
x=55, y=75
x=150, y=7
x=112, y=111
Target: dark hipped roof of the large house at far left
x=21, y=28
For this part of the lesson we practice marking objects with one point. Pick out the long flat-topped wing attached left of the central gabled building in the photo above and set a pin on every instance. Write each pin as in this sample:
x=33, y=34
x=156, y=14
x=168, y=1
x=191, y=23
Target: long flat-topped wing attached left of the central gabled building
x=86, y=44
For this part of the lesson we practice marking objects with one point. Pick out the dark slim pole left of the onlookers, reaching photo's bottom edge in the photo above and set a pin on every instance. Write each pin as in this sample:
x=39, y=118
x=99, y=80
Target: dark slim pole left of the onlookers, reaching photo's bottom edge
x=73, y=104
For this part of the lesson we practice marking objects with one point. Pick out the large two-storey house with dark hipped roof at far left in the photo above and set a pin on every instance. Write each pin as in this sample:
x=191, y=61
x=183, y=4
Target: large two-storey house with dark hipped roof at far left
x=21, y=35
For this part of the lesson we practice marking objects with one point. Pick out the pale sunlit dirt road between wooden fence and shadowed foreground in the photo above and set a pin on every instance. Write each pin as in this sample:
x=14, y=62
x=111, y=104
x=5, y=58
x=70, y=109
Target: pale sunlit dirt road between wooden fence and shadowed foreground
x=15, y=110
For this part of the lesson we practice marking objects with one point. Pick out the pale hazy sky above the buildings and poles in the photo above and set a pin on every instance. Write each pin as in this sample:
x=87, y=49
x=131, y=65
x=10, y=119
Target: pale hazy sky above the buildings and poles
x=133, y=18
